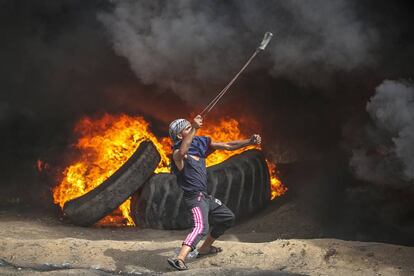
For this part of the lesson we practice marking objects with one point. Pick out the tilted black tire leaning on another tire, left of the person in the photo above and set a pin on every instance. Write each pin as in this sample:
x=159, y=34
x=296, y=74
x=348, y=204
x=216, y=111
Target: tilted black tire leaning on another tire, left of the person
x=99, y=202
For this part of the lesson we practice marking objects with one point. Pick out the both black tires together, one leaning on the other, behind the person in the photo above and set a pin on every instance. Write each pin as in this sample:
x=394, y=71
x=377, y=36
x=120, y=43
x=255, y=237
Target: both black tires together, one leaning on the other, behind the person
x=242, y=182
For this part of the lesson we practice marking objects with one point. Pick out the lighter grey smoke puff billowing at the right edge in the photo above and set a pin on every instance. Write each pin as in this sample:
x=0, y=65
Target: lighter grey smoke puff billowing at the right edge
x=387, y=157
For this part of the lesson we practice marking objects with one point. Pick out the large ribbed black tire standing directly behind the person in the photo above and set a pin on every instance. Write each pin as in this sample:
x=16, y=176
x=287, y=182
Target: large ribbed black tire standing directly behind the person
x=242, y=183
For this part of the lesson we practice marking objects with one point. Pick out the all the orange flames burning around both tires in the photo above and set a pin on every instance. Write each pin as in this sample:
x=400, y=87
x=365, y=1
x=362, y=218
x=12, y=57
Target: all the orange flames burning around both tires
x=105, y=144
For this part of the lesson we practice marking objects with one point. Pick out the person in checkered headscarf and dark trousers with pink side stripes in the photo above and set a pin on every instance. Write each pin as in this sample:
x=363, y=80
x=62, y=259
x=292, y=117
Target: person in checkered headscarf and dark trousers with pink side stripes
x=188, y=164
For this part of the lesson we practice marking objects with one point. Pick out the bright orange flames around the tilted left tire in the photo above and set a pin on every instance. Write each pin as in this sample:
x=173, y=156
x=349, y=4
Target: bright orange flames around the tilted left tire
x=105, y=145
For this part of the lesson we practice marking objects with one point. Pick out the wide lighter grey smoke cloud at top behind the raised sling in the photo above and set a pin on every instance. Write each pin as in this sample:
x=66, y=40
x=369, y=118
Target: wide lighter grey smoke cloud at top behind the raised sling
x=192, y=47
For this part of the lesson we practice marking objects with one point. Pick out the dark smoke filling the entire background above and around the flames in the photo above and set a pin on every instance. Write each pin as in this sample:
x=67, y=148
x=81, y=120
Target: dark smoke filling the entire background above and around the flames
x=314, y=94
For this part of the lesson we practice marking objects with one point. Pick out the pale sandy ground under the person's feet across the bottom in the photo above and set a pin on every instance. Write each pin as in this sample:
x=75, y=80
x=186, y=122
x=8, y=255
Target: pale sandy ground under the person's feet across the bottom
x=39, y=244
